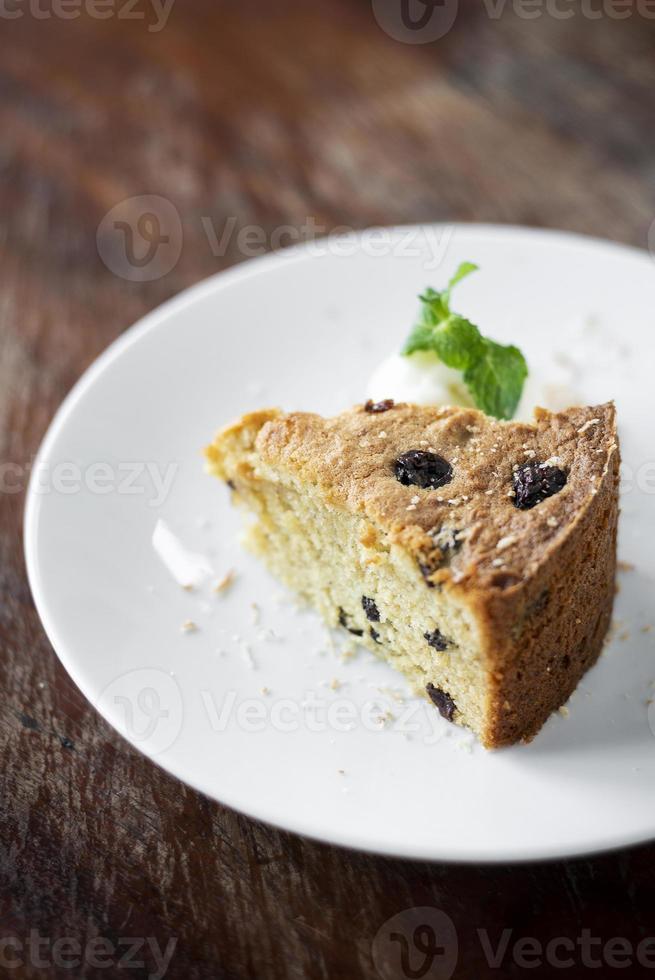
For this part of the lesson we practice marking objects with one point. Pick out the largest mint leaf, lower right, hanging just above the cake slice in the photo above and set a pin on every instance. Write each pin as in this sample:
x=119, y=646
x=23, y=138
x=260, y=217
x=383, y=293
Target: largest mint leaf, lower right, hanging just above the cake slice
x=496, y=379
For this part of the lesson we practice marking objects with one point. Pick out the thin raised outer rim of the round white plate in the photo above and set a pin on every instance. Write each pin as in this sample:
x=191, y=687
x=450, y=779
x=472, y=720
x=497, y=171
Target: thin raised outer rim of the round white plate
x=150, y=322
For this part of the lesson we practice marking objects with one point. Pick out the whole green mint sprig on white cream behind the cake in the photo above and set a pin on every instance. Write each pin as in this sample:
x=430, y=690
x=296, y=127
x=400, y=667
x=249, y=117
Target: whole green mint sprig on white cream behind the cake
x=494, y=374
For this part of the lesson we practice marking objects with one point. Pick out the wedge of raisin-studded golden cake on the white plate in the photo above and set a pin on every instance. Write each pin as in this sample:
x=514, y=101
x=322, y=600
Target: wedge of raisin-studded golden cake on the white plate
x=475, y=556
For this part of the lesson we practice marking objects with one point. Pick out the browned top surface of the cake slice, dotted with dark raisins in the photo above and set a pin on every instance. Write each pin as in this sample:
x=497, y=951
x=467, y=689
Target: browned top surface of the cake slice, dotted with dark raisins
x=352, y=456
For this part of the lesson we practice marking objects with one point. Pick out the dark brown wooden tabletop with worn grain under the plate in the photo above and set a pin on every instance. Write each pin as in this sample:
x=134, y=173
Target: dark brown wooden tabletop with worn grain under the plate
x=266, y=114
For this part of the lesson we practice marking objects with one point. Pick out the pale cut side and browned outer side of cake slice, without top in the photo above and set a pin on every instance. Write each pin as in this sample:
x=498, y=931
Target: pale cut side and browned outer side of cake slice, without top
x=512, y=654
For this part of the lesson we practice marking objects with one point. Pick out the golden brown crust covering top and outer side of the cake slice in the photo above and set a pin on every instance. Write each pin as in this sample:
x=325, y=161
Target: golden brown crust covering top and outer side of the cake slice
x=539, y=581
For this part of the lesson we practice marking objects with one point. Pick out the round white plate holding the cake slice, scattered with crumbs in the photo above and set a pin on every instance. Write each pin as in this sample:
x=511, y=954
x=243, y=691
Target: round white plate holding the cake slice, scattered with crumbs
x=303, y=329
